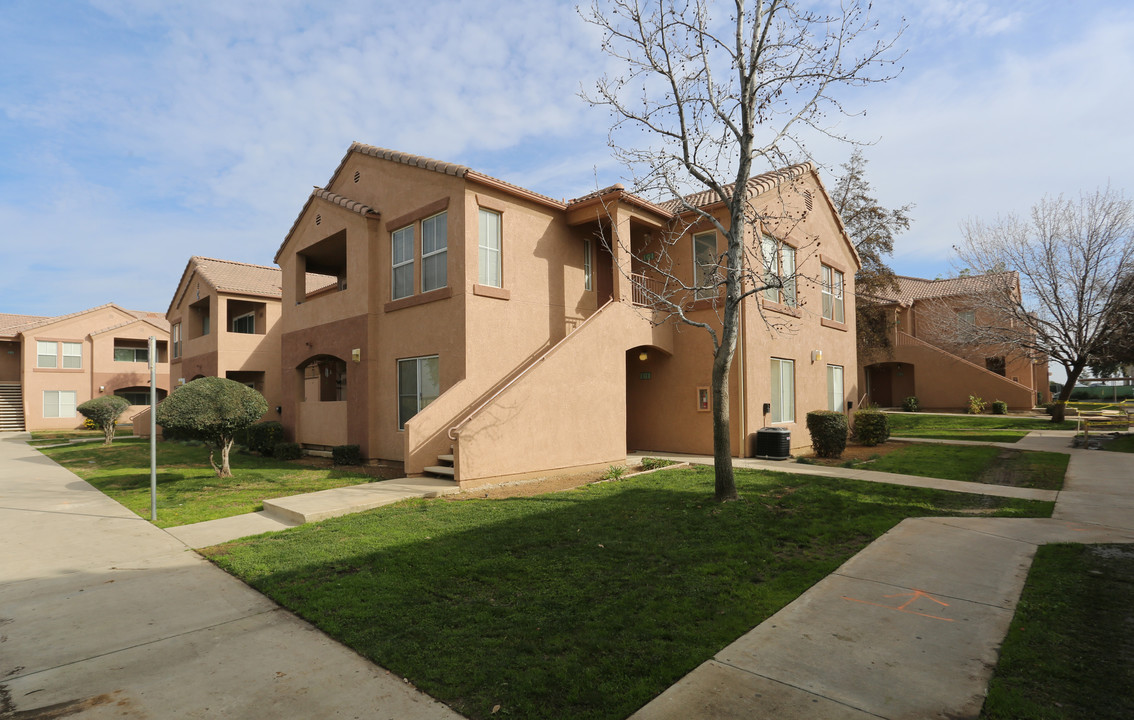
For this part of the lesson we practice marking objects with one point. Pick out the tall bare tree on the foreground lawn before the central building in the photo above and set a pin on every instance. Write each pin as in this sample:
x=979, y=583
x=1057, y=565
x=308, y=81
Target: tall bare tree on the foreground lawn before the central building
x=714, y=96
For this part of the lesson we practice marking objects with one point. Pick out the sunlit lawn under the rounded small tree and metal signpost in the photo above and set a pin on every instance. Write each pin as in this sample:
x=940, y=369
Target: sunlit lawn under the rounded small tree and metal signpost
x=189, y=490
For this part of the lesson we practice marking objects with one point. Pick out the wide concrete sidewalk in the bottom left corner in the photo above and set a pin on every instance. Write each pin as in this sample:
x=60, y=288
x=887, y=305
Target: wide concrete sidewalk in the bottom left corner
x=106, y=616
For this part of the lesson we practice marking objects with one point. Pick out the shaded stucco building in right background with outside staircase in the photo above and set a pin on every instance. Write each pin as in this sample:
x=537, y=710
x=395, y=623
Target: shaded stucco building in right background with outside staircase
x=934, y=359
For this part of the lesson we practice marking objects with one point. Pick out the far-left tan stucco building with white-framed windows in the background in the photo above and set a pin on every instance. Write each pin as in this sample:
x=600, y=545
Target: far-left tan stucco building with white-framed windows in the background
x=50, y=366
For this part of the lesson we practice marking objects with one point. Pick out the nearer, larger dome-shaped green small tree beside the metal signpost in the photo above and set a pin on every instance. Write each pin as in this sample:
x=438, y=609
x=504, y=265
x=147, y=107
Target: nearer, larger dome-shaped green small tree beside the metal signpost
x=214, y=410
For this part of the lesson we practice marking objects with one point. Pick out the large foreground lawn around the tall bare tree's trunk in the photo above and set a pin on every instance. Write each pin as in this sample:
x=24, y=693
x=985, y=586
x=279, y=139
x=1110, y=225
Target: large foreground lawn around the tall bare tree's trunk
x=585, y=604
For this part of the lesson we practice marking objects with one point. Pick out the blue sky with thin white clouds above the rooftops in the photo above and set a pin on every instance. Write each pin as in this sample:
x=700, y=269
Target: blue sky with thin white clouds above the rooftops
x=134, y=133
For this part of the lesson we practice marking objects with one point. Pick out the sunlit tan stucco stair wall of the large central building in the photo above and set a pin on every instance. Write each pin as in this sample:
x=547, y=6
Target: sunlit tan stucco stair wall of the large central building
x=569, y=410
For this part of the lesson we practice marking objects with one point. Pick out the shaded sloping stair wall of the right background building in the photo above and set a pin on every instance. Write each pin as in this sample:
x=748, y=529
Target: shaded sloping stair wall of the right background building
x=957, y=378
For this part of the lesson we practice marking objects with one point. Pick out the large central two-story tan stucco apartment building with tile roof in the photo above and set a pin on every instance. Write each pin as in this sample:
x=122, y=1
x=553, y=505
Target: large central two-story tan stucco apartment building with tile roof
x=464, y=321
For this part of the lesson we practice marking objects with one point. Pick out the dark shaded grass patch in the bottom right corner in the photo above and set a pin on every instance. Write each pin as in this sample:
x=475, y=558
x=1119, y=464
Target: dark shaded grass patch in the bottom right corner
x=1070, y=653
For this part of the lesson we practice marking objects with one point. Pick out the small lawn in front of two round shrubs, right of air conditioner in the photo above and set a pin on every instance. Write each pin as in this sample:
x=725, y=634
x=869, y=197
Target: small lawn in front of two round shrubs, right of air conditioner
x=983, y=464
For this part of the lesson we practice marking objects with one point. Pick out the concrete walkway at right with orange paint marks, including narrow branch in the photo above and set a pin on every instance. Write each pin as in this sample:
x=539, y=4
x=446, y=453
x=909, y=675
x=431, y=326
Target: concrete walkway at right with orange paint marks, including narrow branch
x=911, y=626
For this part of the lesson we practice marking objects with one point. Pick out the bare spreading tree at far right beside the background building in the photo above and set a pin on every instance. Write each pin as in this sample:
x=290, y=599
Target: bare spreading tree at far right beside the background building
x=1072, y=257
